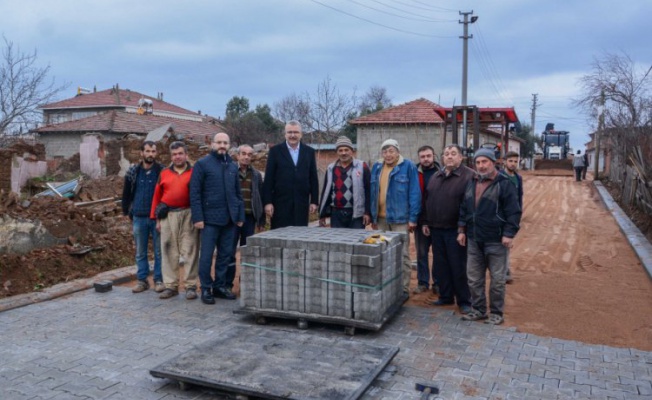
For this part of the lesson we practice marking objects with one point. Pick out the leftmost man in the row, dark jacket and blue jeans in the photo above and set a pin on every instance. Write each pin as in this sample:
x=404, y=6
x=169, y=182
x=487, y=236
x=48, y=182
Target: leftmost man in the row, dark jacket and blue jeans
x=137, y=194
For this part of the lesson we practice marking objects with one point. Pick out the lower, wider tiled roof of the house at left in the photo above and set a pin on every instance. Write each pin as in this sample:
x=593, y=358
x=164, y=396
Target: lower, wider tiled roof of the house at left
x=125, y=122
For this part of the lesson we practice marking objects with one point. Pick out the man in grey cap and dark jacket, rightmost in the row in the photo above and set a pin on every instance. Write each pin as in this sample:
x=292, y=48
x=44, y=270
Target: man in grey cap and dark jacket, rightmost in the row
x=489, y=219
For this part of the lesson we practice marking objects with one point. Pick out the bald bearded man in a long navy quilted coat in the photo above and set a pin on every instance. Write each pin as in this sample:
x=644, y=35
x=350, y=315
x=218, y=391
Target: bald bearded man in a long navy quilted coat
x=216, y=206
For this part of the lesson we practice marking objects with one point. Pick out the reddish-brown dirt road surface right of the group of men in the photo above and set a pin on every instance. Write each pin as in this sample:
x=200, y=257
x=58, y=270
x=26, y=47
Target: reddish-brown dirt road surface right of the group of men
x=575, y=275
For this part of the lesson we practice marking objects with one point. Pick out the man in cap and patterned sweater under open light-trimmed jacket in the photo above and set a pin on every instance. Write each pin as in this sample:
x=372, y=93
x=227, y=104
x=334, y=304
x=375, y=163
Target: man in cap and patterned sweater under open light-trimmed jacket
x=345, y=195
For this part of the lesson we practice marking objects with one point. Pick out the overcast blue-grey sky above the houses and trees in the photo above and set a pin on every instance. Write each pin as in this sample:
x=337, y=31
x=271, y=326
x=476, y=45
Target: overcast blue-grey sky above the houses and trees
x=202, y=53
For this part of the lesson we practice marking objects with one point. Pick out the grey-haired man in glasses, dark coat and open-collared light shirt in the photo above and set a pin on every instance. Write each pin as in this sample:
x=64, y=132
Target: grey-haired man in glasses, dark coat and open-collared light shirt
x=291, y=187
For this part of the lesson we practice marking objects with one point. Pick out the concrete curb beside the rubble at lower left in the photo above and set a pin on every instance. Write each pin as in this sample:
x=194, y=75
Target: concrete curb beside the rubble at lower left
x=120, y=275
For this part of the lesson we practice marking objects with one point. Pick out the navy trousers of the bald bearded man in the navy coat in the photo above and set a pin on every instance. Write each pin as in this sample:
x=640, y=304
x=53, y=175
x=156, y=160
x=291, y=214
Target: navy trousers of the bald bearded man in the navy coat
x=221, y=237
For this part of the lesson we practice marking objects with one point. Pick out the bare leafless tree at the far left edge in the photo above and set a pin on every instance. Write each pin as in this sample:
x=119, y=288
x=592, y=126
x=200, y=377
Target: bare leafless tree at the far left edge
x=23, y=87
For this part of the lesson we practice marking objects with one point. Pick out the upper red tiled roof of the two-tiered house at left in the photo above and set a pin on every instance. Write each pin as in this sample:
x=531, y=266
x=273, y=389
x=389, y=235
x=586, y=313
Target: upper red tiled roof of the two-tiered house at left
x=112, y=98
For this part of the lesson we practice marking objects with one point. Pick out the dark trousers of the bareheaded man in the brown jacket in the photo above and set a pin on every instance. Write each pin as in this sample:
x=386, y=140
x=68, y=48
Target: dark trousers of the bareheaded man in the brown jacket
x=450, y=259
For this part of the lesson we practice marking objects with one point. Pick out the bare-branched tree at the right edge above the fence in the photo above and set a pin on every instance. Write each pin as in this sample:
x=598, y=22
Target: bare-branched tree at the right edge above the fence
x=624, y=88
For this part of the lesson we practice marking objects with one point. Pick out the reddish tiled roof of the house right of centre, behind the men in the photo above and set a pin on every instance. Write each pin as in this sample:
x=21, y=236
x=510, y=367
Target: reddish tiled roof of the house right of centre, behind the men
x=420, y=111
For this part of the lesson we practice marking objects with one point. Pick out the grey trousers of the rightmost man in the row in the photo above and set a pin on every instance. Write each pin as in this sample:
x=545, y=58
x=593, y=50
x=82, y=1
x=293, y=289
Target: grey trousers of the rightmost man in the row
x=483, y=256
